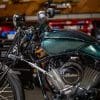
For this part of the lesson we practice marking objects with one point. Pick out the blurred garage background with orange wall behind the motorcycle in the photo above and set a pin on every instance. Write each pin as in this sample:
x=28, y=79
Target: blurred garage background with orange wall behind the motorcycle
x=81, y=15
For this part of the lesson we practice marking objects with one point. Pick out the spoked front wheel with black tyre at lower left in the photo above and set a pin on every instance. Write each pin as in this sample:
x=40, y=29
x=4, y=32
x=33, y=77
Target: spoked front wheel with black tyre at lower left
x=10, y=87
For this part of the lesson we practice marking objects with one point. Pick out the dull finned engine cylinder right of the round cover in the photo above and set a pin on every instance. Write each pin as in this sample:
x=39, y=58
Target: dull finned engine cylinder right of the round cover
x=90, y=78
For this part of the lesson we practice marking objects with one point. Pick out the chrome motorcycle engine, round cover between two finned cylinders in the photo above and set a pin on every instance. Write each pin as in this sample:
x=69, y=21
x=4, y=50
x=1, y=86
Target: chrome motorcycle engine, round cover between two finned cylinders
x=72, y=76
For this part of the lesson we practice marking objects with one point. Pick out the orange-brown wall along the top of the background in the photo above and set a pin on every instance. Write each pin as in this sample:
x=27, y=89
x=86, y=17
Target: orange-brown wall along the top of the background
x=84, y=6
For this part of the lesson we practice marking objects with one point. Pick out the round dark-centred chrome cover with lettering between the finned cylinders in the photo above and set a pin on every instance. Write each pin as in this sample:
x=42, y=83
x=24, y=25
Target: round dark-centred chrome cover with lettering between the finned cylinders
x=71, y=73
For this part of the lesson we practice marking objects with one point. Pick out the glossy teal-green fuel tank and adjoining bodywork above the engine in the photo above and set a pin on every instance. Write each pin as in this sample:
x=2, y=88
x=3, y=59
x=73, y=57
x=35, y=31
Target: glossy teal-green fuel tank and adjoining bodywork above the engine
x=60, y=42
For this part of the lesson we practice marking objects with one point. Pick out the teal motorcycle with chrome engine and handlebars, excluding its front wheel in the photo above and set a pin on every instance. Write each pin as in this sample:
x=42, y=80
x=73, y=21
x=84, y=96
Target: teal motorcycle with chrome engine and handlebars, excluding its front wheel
x=66, y=61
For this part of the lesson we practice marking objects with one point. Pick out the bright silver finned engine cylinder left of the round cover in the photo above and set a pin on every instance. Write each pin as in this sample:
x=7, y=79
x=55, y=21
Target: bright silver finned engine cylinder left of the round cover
x=58, y=83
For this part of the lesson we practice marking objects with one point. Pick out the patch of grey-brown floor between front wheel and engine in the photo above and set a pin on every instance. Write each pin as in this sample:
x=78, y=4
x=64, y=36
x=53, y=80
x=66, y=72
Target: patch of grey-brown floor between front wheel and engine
x=35, y=94
